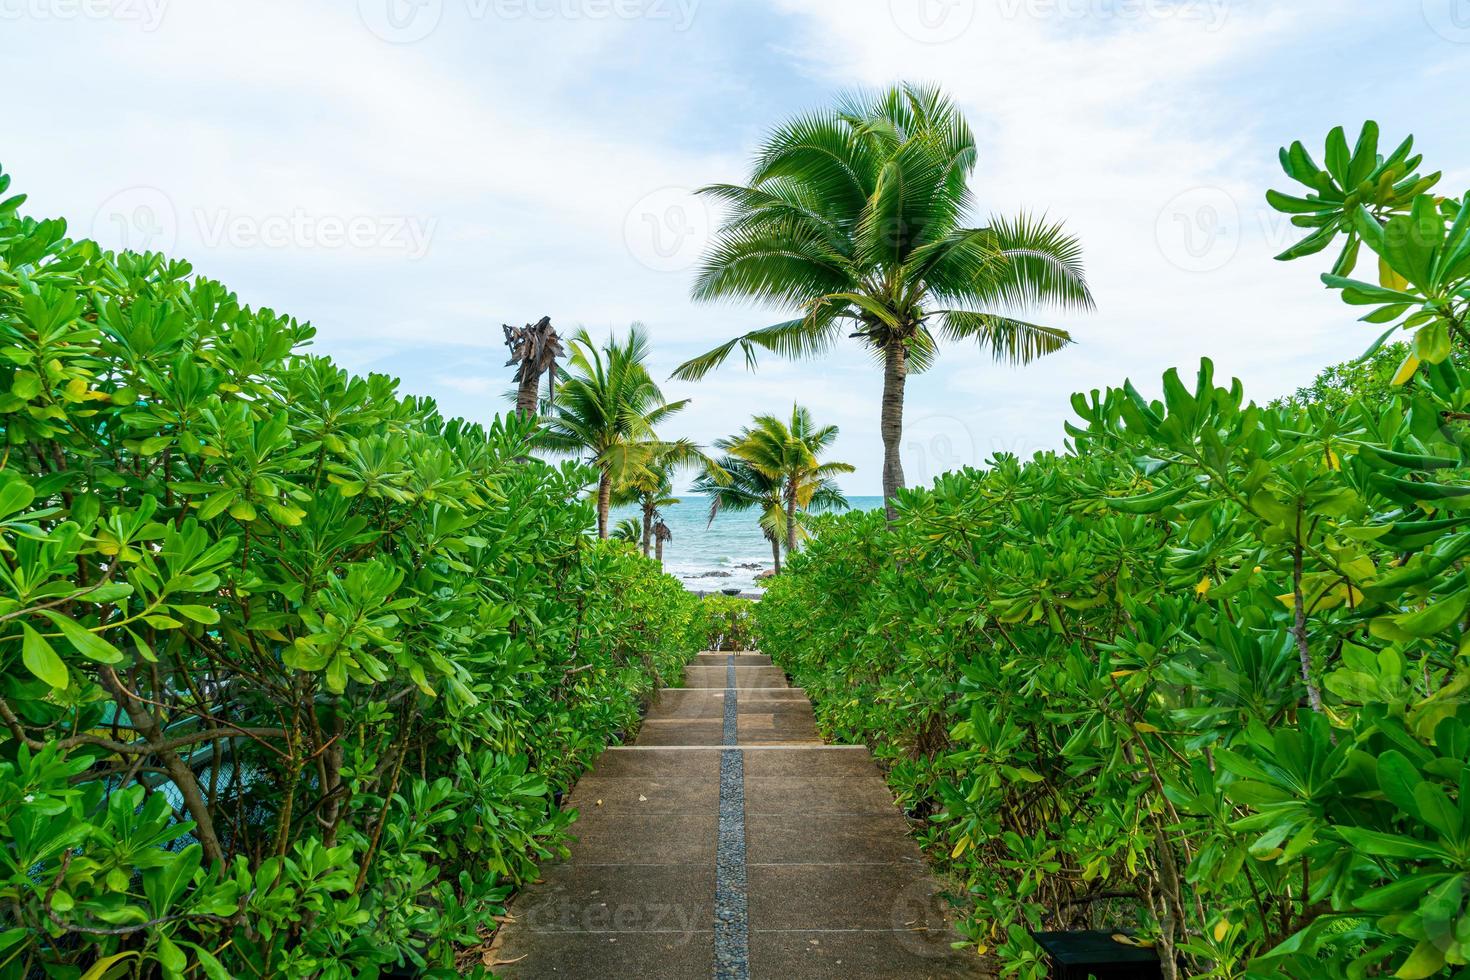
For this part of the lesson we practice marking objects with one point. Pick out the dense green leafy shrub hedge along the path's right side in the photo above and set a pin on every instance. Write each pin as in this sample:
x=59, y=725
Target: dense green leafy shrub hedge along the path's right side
x=1206, y=674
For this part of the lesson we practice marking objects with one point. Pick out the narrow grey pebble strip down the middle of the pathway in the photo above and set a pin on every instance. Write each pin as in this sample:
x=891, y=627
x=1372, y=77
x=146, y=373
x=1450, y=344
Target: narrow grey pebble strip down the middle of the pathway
x=731, y=887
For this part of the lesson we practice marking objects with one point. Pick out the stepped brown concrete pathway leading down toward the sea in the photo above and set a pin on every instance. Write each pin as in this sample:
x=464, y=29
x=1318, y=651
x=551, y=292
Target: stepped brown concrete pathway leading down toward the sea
x=730, y=843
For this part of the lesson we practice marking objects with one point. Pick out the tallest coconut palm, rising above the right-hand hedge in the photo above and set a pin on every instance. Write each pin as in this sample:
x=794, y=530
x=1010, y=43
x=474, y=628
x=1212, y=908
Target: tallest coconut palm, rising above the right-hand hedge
x=859, y=218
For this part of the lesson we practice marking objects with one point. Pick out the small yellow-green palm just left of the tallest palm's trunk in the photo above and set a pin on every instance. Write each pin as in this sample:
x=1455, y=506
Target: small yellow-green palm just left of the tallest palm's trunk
x=789, y=453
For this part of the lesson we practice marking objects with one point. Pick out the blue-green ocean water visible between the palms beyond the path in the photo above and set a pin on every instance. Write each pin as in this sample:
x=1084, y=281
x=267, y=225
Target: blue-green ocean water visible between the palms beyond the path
x=727, y=555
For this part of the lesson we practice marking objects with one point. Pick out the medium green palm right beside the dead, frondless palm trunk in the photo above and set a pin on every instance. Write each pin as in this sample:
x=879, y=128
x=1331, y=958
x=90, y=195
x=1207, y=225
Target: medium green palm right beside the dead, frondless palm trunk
x=608, y=408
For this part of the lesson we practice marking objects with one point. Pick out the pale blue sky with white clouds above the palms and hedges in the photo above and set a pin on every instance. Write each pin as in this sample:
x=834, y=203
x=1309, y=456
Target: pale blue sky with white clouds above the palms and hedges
x=409, y=176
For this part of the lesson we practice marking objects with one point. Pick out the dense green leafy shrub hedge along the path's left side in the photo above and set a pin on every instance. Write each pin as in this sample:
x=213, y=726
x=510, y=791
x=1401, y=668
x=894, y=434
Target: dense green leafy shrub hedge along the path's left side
x=295, y=669
